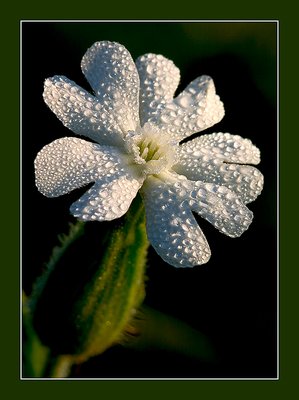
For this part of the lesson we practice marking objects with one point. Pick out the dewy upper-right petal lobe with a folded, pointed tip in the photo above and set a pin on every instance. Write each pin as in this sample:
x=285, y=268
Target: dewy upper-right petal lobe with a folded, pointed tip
x=197, y=108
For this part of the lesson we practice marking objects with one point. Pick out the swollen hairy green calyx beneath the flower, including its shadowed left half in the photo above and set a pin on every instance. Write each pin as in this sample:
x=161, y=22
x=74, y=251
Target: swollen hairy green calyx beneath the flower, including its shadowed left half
x=94, y=283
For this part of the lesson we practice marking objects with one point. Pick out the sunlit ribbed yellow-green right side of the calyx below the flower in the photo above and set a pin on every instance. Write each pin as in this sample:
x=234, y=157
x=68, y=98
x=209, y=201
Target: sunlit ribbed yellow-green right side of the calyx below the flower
x=118, y=285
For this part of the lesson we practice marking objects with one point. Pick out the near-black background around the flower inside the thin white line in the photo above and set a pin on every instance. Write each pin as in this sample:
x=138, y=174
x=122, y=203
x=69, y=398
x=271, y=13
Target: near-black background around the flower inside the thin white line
x=233, y=298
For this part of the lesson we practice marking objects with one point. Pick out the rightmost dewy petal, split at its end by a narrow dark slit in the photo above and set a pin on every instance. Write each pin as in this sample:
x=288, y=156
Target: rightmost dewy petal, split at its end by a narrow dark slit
x=208, y=158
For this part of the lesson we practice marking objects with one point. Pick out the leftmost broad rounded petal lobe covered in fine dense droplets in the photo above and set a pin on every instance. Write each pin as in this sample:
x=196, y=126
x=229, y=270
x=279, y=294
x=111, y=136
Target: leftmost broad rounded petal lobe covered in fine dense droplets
x=70, y=163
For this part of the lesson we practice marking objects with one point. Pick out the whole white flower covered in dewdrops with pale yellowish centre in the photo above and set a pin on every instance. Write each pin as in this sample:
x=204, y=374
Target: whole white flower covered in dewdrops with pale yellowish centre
x=138, y=126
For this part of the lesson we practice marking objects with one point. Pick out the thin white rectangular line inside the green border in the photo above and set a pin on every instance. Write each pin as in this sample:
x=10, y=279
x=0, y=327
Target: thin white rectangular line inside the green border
x=277, y=210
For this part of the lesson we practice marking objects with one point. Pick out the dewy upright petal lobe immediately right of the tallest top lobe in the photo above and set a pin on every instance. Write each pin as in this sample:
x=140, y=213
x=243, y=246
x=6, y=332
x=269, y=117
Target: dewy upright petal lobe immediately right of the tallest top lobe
x=159, y=79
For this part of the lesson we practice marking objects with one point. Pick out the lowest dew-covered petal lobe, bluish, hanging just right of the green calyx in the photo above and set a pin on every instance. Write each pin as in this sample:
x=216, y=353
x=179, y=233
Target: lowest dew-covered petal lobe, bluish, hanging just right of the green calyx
x=171, y=227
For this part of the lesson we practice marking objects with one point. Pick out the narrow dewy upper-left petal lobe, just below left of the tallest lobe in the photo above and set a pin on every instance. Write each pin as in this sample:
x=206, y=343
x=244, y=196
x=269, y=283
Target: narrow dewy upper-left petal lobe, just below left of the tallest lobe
x=81, y=112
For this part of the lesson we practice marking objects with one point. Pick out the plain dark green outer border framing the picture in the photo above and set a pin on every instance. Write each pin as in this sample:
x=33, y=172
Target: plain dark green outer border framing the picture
x=10, y=267
